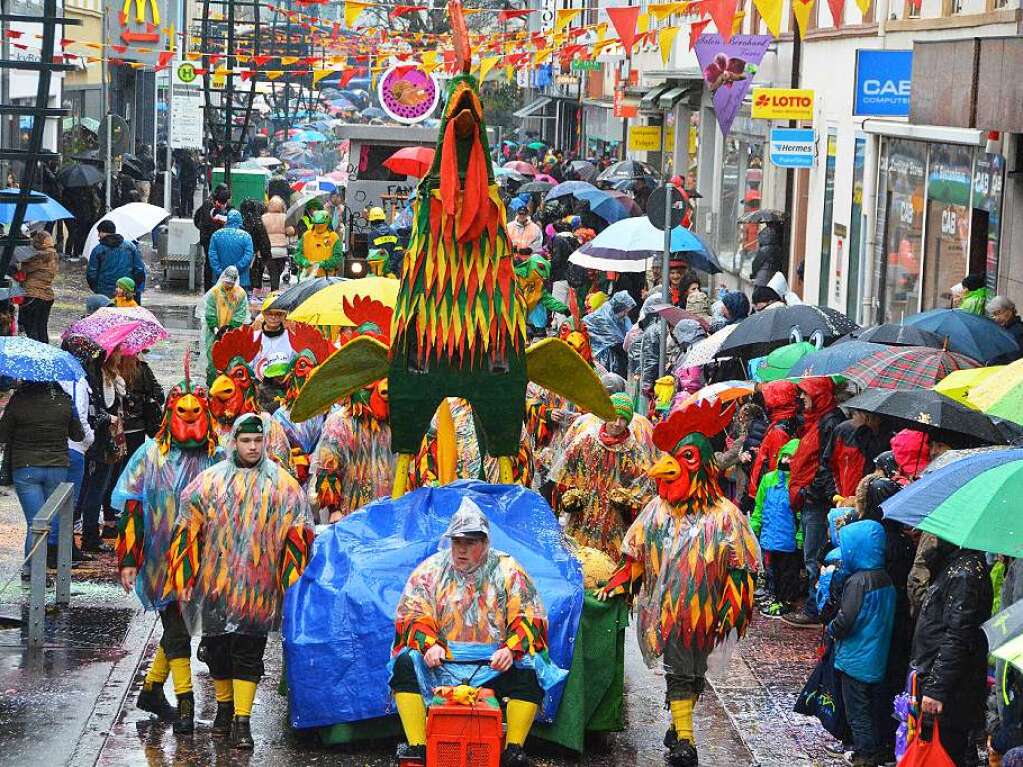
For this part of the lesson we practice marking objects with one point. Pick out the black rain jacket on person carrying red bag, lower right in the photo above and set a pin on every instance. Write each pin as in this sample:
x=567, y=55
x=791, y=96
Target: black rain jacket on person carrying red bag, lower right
x=950, y=650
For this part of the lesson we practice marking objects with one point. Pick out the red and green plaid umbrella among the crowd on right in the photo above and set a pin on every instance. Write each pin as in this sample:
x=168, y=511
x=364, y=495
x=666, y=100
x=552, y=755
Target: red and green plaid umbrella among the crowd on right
x=907, y=368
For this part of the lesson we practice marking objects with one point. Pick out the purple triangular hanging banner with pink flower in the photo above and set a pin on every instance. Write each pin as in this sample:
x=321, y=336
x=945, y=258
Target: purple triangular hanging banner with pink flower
x=729, y=71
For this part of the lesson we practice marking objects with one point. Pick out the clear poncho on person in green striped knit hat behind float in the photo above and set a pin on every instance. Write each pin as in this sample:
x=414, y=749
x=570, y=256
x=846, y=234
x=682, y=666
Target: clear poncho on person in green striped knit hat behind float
x=594, y=468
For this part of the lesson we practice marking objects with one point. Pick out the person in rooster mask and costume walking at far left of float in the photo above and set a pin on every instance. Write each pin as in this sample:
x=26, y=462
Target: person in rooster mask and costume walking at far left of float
x=147, y=495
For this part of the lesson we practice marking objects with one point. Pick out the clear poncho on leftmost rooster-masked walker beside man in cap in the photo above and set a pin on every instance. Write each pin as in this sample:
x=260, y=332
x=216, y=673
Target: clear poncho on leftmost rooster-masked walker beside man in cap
x=156, y=482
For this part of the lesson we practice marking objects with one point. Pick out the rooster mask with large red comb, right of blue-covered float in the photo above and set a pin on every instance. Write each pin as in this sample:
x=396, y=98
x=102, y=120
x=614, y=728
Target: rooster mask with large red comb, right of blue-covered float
x=687, y=474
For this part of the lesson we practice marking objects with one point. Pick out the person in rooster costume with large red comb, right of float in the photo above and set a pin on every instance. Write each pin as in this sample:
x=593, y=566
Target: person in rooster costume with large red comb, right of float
x=693, y=559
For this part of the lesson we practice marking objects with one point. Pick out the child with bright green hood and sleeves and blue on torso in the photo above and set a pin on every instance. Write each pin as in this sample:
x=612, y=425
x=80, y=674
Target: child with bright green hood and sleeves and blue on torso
x=777, y=525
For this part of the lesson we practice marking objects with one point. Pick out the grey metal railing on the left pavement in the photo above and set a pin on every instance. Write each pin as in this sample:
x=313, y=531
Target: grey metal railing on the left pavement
x=61, y=507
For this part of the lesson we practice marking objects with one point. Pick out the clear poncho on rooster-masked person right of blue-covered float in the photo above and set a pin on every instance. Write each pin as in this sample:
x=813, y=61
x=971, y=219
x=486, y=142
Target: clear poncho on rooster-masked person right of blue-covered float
x=698, y=576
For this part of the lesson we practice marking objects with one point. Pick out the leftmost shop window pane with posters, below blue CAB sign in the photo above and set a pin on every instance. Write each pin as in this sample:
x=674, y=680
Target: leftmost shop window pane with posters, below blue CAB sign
x=904, y=229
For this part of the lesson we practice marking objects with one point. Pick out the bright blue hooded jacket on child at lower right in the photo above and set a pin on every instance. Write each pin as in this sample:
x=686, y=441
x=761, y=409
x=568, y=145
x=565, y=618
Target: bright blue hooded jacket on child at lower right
x=863, y=627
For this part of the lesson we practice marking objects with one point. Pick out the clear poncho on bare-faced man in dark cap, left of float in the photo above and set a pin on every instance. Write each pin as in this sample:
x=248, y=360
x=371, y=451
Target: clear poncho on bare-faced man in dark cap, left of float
x=243, y=537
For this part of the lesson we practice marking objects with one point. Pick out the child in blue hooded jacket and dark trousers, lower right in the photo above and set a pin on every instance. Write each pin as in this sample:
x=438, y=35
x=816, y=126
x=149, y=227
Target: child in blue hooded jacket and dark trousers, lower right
x=863, y=631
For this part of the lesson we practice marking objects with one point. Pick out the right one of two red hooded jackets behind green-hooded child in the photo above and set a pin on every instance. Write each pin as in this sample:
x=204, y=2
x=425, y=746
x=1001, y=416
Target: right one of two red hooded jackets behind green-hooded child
x=813, y=484
